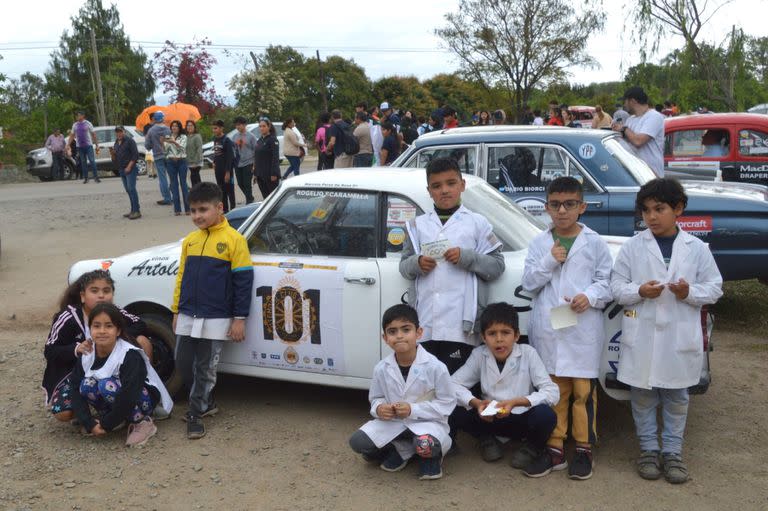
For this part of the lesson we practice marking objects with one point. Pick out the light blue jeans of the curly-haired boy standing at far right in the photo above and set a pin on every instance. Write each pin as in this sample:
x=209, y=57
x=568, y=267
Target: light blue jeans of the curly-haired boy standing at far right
x=674, y=411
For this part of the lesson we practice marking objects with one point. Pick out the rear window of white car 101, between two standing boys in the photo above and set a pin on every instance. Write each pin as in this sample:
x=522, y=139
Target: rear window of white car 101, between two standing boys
x=511, y=224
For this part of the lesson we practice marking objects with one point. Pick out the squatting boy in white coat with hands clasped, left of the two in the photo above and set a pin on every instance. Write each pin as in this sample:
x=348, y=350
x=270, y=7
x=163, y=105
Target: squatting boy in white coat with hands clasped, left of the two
x=411, y=397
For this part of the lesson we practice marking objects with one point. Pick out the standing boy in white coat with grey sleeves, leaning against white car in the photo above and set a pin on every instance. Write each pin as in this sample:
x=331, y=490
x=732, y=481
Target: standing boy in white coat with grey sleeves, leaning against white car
x=450, y=254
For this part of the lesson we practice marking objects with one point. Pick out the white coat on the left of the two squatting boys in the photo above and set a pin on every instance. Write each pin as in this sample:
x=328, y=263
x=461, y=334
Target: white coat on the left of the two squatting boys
x=428, y=390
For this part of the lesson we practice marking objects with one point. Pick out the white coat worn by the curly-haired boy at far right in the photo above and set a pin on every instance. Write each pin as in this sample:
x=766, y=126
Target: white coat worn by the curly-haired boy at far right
x=661, y=340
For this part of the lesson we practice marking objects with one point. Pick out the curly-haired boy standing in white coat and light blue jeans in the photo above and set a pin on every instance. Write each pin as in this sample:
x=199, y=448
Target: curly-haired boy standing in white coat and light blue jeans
x=663, y=276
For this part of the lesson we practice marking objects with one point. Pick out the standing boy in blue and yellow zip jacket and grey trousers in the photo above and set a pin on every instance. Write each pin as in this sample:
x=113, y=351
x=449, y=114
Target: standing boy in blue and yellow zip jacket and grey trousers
x=211, y=300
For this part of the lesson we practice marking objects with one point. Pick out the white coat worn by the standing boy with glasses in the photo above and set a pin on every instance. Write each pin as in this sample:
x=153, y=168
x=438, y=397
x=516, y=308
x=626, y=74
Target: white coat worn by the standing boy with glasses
x=574, y=351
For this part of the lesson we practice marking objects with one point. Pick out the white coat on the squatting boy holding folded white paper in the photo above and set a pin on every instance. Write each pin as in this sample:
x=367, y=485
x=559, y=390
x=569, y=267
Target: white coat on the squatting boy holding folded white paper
x=524, y=375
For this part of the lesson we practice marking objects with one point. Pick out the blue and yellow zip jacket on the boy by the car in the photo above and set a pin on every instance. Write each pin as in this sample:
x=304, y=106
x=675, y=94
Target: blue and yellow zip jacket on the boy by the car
x=215, y=274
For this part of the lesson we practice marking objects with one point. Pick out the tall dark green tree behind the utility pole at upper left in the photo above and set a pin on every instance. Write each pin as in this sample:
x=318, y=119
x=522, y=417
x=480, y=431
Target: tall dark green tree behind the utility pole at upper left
x=127, y=83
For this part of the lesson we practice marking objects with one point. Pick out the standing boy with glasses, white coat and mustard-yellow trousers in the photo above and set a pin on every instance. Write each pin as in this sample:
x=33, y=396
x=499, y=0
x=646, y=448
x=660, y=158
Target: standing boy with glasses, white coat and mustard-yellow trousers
x=568, y=270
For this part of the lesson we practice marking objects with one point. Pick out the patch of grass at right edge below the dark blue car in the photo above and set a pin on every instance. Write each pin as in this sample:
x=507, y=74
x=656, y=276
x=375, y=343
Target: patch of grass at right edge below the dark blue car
x=743, y=308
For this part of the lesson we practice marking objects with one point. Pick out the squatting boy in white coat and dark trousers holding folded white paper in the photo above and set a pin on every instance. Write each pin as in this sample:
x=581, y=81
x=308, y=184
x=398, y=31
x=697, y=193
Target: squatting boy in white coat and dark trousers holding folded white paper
x=515, y=378
